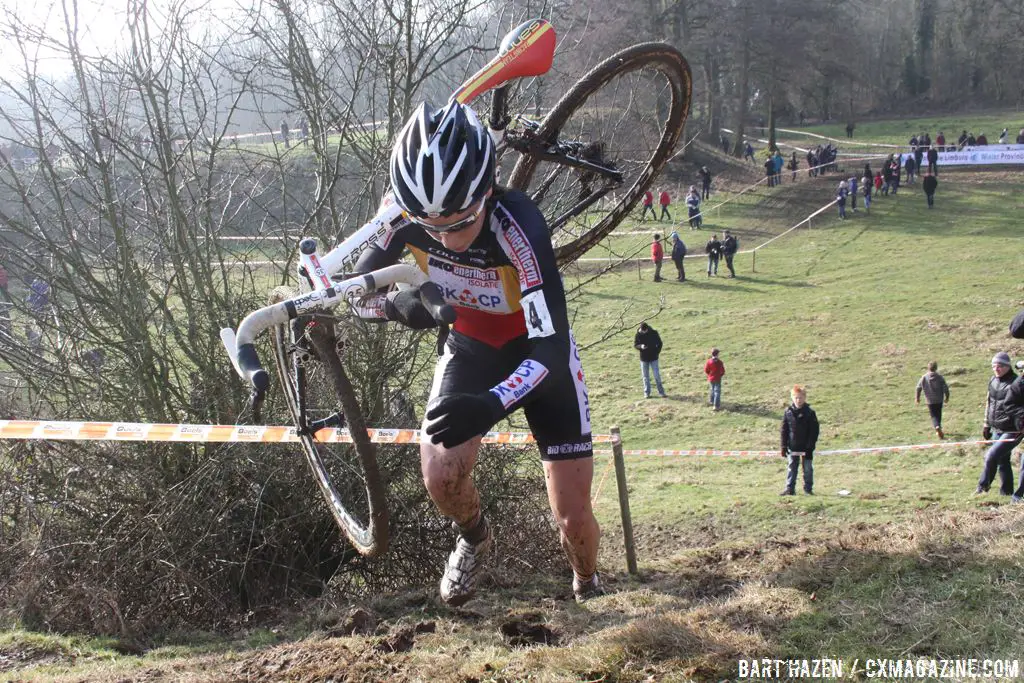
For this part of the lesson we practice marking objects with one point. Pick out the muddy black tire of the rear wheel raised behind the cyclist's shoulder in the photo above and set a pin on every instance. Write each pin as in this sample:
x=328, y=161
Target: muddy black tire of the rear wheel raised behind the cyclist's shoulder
x=646, y=58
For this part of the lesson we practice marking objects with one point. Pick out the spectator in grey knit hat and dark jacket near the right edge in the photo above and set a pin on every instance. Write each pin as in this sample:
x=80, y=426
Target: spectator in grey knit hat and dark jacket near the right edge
x=999, y=425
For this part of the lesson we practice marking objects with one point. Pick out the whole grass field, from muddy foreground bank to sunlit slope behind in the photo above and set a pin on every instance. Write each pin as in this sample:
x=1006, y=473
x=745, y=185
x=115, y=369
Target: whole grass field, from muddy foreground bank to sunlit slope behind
x=909, y=565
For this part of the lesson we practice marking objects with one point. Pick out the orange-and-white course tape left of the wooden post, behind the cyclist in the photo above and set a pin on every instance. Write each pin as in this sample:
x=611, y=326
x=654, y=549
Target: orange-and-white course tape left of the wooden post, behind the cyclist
x=141, y=432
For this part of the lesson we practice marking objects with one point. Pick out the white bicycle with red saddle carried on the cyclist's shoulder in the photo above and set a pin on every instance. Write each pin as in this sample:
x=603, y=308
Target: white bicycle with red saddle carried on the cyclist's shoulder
x=586, y=164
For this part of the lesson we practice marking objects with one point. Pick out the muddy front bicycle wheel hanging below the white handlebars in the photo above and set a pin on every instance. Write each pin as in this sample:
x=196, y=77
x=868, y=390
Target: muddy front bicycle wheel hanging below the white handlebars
x=324, y=376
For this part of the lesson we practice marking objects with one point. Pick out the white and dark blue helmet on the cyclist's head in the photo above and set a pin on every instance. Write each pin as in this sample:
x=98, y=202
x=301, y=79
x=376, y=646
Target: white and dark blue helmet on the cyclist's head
x=443, y=162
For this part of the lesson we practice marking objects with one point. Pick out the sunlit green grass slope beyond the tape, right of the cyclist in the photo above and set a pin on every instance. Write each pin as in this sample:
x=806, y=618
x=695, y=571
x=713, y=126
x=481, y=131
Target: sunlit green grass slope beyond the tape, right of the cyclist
x=854, y=311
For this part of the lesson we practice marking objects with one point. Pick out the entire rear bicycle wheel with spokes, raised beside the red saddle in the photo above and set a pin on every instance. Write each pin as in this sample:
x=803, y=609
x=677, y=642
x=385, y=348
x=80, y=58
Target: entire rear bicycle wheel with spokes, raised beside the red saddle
x=619, y=126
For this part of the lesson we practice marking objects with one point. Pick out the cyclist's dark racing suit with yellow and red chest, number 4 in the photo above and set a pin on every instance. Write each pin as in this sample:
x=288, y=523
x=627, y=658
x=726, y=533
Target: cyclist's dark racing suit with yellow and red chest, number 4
x=511, y=315
